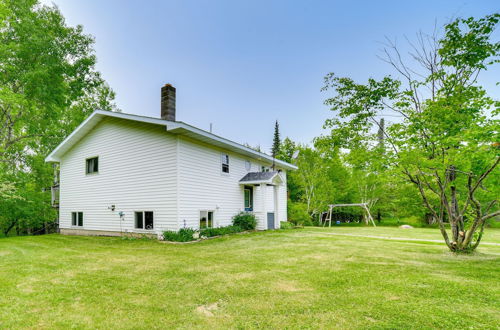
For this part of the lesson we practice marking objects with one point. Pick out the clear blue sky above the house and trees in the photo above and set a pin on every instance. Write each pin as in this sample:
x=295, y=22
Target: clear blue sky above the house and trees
x=241, y=65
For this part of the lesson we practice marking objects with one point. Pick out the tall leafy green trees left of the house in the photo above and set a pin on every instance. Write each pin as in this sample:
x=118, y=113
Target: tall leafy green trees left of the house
x=48, y=85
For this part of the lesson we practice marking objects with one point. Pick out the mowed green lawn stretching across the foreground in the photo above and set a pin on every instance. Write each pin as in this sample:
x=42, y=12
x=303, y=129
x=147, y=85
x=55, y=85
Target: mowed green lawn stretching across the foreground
x=306, y=278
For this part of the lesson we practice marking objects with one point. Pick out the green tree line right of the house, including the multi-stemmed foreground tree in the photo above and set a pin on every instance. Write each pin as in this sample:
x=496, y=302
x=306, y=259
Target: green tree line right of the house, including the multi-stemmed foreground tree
x=437, y=160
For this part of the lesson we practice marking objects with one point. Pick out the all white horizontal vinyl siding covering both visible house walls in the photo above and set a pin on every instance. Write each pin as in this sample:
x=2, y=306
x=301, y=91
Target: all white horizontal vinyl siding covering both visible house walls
x=142, y=167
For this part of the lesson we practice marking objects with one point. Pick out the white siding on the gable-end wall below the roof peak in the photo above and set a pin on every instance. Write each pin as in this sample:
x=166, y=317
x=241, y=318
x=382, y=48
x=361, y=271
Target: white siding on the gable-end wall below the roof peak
x=137, y=171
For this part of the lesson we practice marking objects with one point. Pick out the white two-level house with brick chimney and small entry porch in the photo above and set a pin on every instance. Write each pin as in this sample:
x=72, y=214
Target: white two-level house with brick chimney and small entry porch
x=127, y=173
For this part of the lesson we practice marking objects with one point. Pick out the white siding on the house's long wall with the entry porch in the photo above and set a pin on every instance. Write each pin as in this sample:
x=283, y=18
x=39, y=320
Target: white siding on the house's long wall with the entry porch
x=202, y=186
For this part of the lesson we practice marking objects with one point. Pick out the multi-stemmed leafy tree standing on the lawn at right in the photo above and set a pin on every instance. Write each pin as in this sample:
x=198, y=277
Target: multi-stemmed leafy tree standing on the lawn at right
x=444, y=142
